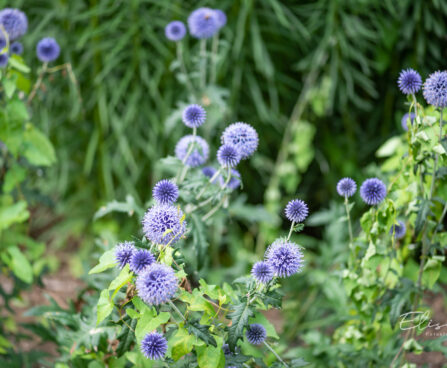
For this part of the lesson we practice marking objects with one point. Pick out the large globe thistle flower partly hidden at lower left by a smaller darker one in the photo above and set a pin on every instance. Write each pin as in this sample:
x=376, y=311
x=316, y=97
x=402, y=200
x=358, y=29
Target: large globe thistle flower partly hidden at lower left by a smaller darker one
x=243, y=136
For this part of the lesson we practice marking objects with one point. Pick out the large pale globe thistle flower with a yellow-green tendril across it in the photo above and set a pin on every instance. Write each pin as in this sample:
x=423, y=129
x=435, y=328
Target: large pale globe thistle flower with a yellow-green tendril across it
x=162, y=224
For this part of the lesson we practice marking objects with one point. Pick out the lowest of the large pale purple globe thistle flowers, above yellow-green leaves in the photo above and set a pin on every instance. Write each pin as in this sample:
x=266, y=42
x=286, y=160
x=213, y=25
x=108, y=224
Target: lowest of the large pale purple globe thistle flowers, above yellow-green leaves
x=156, y=284
